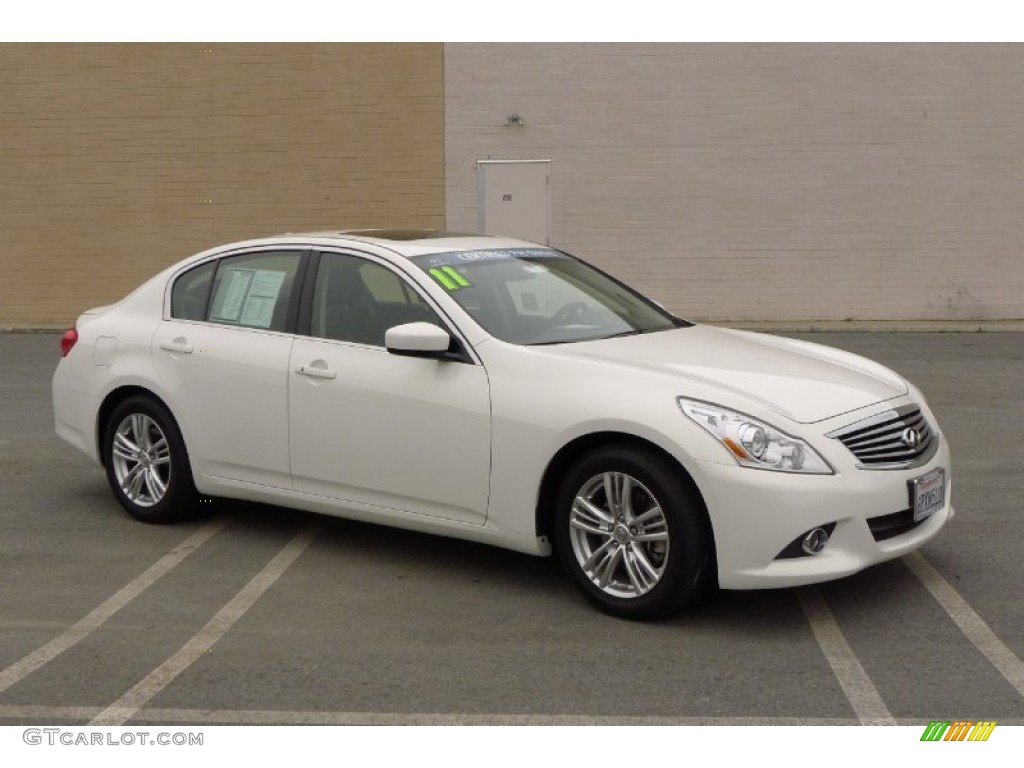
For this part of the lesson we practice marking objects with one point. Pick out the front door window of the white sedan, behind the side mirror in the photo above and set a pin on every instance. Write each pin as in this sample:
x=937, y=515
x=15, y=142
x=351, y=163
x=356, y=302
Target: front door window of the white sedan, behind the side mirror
x=359, y=301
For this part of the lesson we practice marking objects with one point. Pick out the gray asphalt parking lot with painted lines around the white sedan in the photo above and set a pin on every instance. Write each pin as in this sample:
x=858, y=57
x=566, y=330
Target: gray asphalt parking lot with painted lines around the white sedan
x=261, y=615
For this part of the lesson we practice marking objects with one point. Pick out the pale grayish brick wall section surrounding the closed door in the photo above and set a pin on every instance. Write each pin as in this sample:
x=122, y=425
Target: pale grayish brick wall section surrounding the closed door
x=761, y=182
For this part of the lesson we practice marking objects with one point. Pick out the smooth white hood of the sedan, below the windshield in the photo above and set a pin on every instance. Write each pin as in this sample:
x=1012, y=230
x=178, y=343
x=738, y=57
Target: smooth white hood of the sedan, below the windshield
x=804, y=382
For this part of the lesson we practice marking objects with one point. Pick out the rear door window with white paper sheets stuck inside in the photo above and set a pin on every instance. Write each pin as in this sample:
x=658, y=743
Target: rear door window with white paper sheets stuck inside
x=254, y=290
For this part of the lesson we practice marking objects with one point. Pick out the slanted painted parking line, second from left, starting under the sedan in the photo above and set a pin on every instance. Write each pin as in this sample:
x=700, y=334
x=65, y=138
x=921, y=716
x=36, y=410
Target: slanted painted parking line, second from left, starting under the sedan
x=216, y=629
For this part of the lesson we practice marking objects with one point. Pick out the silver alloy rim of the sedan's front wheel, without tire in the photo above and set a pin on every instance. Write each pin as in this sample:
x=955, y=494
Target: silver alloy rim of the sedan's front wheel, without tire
x=620, y=535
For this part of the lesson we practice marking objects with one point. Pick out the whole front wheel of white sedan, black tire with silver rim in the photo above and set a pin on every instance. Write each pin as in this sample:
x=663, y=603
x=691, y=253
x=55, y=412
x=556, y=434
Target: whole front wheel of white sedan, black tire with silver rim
x=646, y=552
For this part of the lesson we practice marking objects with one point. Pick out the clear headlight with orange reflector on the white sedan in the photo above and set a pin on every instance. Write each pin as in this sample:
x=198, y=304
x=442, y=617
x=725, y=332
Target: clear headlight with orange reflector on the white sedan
x=753, y=443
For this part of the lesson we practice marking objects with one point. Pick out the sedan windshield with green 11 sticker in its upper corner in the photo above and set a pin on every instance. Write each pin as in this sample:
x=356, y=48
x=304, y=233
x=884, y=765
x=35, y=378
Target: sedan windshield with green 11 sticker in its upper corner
x=542, y=296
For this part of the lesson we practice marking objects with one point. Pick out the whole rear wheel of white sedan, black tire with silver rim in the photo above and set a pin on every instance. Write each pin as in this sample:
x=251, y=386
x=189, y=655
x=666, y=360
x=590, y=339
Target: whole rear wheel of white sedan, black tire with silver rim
x=149, y=474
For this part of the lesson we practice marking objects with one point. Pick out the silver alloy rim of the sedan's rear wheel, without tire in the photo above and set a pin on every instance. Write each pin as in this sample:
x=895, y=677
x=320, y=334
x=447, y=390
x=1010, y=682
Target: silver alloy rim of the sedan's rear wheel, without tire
x=142, y=460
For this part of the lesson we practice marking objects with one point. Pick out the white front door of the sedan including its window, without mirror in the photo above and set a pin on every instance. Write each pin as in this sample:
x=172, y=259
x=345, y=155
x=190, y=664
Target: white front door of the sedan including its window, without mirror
x=374, y=429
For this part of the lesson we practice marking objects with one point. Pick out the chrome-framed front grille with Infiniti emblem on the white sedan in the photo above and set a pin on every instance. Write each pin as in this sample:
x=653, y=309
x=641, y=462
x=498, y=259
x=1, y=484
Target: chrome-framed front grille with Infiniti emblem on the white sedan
x=894, y=440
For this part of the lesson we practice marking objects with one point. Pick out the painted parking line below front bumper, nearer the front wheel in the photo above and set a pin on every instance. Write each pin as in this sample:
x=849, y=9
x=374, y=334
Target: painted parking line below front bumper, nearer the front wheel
x=860, y=690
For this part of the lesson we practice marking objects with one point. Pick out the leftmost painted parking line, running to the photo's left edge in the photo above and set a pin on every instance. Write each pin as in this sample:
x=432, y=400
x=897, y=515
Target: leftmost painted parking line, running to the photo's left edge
x=83, y=628
